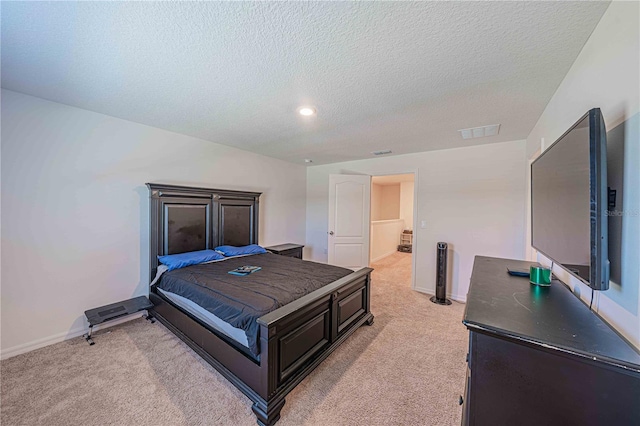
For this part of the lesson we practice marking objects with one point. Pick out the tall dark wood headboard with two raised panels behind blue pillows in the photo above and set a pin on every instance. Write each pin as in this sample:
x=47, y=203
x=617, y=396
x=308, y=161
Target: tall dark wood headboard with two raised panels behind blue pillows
x=186, y=219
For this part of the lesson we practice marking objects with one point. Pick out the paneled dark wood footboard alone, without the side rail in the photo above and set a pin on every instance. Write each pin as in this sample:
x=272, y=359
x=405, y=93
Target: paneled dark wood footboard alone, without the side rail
x=297, y=337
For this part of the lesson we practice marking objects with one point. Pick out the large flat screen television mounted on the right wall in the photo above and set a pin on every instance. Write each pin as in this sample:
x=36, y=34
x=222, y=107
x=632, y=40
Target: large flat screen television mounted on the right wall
x=569, y=200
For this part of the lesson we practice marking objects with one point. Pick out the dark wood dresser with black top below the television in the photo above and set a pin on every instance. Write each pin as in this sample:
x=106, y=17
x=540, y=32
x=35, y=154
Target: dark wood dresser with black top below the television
x=539, y=356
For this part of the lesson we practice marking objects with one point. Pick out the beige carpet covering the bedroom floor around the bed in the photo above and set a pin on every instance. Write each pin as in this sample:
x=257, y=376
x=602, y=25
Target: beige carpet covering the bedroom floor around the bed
x=407, y=369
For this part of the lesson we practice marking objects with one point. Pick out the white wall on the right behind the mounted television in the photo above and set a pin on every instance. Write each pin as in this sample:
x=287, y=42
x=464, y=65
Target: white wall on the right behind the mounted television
x=605, y=75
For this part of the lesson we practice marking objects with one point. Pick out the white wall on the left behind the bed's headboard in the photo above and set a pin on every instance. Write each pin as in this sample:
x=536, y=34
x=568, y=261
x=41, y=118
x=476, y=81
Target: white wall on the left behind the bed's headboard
x=75, y=209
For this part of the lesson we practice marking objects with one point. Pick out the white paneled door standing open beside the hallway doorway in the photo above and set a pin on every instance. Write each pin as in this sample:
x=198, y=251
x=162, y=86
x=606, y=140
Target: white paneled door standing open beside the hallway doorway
x=349, y=213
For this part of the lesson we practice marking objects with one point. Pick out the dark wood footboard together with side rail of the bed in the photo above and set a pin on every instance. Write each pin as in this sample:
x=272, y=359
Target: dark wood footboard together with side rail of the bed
x=294, y=340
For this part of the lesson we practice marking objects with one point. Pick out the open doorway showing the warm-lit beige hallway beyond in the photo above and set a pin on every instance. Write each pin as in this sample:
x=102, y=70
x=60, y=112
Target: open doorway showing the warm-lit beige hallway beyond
x=392, y=222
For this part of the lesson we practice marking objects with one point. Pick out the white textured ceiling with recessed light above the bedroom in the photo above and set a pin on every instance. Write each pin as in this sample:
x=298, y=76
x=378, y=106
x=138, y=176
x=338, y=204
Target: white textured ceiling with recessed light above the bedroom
x=383, y=75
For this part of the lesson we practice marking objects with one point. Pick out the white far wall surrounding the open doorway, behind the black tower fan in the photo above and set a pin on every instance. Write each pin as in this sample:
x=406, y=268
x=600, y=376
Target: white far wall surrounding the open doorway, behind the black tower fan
x=472, y=198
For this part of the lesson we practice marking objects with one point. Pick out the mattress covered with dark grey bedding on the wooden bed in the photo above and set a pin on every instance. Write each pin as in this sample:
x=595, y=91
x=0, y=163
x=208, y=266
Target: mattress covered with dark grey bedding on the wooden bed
x=238, y=301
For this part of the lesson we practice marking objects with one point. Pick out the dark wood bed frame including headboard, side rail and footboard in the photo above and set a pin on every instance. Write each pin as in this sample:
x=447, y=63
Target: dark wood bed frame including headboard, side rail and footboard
x=294, y=339
